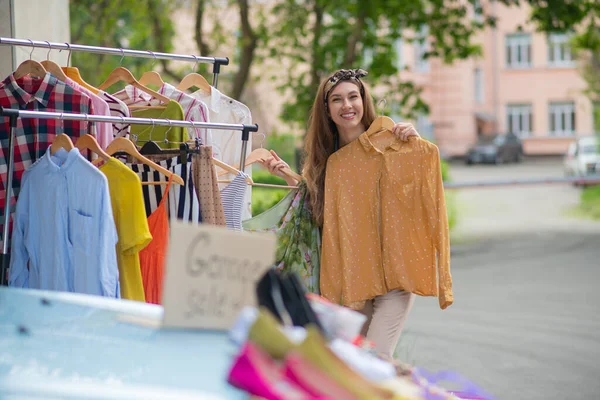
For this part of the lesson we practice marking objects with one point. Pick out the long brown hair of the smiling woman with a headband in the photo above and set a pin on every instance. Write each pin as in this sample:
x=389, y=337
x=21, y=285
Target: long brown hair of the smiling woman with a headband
x=319, y=144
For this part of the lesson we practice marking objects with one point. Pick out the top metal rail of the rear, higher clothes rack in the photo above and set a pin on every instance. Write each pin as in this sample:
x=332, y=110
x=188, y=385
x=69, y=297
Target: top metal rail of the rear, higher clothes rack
x=216, y=61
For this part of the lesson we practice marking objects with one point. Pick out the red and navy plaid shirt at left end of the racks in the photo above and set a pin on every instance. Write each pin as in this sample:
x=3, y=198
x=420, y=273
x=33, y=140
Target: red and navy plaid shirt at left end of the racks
x=33, y=136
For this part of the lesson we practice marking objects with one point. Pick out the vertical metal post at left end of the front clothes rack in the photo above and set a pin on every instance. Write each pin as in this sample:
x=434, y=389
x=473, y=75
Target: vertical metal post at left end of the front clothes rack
x=13, y=115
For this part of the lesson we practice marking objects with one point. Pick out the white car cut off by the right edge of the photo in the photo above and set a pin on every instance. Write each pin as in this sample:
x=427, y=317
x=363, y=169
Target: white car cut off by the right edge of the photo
x=583, y=157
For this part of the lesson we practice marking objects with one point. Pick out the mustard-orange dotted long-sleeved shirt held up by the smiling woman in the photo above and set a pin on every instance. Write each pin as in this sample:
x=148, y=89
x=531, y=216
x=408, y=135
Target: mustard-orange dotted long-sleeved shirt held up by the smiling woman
x=385, y=223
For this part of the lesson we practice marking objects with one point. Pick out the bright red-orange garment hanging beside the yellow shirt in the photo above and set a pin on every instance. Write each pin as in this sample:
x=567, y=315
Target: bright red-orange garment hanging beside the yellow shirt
x=152, y=258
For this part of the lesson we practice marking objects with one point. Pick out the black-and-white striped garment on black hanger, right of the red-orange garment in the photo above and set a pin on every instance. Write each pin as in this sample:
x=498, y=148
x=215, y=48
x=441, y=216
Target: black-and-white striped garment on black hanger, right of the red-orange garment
x=182, y=202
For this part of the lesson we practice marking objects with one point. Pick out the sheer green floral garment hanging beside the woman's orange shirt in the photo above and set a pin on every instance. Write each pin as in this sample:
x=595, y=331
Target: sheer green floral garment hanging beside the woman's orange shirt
x=298, y=236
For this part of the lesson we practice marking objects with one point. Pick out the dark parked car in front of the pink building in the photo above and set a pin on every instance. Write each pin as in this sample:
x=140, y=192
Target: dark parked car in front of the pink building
x=497, y=149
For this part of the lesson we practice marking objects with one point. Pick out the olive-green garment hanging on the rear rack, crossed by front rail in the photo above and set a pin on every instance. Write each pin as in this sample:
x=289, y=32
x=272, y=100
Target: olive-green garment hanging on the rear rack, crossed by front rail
x=144, y=133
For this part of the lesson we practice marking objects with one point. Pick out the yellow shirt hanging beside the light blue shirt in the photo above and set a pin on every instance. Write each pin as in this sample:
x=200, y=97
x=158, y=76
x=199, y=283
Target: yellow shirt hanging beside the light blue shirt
x=132, y=226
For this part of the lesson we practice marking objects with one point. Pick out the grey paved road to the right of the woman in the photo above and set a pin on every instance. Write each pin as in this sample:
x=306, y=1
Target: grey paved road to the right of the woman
x=525, y=324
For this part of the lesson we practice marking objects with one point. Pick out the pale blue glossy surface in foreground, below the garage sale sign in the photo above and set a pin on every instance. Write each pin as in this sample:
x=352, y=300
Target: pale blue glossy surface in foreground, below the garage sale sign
x=85, y=339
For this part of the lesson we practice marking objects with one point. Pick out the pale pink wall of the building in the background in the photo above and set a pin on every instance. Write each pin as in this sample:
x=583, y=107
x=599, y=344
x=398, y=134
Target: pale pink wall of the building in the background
x=450, y=90
